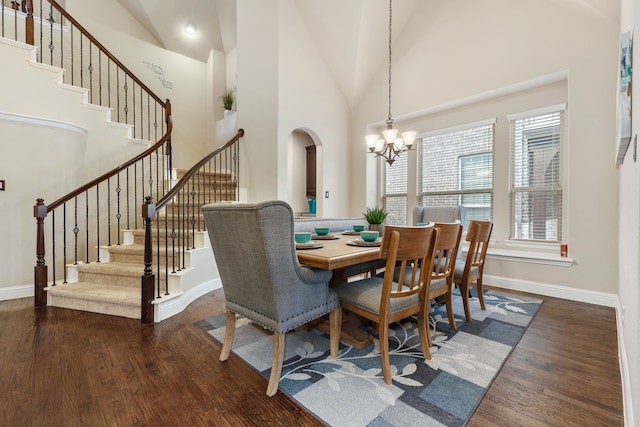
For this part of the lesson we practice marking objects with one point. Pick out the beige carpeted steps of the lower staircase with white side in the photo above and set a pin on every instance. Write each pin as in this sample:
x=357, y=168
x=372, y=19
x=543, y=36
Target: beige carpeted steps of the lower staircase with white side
x=112, y=286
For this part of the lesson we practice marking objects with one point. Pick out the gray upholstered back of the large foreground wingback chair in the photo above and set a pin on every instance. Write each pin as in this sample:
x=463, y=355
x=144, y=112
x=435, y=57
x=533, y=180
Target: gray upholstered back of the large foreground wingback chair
x=254, y=250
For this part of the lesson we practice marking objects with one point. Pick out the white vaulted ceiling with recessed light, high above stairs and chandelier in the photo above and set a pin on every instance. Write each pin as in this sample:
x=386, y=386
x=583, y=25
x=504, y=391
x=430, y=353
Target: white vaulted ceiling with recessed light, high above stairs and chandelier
x=351, y=35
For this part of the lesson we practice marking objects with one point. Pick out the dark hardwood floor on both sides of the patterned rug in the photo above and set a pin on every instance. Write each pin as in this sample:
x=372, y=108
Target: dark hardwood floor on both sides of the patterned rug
x=60, y=367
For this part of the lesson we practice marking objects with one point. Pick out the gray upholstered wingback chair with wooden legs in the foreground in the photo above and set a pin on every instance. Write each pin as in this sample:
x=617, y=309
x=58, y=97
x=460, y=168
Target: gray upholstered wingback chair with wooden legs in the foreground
x=262, y=279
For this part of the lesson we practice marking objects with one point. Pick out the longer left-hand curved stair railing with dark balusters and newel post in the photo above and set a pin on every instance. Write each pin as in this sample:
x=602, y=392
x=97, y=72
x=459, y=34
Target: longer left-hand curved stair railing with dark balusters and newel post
x=94, y=215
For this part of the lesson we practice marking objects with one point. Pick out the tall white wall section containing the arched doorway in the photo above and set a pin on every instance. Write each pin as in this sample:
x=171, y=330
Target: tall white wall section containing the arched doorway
x=309, y=99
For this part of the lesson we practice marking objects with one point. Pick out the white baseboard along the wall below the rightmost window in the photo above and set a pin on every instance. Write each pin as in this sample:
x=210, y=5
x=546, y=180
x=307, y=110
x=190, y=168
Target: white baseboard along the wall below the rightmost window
x=557, y=291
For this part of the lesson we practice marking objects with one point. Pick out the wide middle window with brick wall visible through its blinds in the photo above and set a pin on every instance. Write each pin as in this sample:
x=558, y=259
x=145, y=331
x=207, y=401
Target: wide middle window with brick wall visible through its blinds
x=456, y=167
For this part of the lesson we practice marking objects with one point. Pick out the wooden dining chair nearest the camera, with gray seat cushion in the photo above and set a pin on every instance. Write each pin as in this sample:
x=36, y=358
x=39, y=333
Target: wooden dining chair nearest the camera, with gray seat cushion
x=384, y=301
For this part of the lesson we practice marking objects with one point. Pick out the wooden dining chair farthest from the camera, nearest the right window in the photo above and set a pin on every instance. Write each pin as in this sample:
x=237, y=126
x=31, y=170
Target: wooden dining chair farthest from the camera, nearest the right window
x=471, y=270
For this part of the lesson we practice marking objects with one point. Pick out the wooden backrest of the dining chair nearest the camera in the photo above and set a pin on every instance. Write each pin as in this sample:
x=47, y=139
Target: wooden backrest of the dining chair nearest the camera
x=405, y=248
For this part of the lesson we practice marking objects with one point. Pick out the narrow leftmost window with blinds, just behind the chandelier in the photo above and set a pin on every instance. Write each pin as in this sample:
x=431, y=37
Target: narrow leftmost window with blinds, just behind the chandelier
x=394, y=191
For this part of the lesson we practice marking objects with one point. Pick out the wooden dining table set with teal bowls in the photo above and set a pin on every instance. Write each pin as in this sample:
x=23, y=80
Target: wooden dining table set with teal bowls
x=346, y=256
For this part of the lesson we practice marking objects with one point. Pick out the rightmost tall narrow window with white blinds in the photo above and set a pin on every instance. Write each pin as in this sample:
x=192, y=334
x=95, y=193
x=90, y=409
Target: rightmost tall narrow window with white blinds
x=536, y=192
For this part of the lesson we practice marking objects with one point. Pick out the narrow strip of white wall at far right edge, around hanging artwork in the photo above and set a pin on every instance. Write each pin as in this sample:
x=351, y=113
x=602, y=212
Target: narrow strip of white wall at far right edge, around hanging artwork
x=629, y=240
